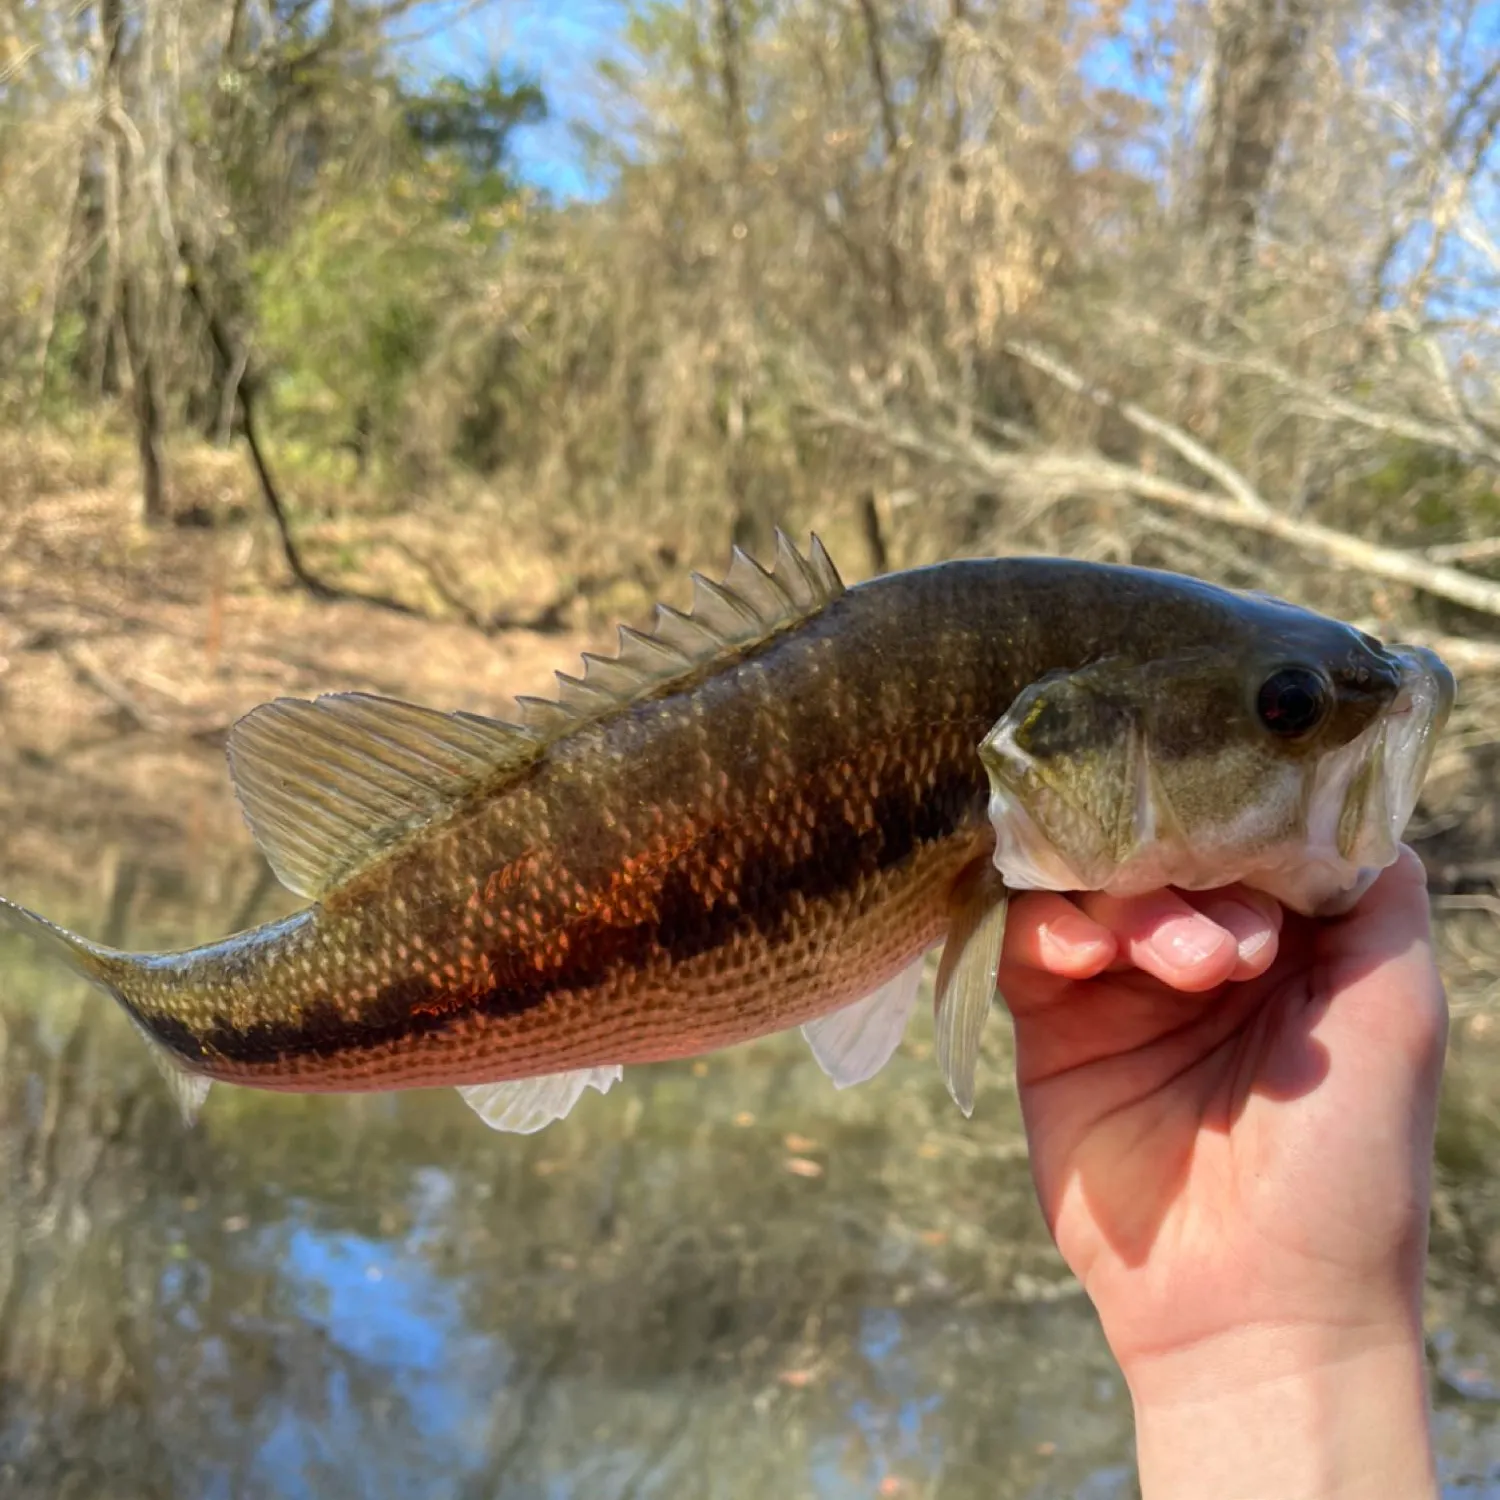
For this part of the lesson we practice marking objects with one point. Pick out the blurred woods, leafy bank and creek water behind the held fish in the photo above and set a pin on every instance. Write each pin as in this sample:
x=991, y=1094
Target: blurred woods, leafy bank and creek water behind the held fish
x=308, y=386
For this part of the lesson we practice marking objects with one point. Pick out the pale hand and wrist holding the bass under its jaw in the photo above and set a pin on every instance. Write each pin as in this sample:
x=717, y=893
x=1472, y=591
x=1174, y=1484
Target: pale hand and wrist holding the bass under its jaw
x=1231, y=1114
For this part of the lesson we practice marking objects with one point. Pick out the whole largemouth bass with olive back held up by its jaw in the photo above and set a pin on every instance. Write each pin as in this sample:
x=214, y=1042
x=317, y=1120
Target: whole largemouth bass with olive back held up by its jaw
x=763, y=815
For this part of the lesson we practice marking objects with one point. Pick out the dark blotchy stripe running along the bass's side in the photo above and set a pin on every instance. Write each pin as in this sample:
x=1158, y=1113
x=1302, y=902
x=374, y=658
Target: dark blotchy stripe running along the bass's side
x=770, y=889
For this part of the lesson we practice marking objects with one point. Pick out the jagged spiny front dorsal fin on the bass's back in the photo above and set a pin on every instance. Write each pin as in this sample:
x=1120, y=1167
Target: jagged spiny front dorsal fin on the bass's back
x=751, y=605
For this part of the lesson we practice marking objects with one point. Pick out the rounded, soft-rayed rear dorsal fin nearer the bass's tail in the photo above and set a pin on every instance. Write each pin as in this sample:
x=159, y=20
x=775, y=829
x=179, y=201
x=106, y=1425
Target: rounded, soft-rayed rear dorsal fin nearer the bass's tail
x=331, y=785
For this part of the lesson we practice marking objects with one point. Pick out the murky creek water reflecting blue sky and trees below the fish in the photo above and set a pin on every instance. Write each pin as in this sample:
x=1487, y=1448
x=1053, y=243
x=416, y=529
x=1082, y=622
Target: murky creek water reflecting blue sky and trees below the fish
x=725, y=1280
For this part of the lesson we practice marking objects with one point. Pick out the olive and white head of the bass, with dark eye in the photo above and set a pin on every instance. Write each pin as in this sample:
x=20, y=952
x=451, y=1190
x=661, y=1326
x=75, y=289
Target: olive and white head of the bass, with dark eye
x=1268, y=746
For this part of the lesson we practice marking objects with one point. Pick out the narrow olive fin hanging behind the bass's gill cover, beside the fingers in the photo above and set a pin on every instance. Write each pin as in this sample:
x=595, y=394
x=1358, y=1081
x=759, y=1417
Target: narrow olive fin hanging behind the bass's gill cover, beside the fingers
x=967, y=973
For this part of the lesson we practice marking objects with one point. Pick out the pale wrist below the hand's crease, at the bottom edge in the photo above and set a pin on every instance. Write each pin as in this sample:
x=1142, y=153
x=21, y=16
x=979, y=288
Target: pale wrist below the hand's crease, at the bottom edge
x=1291, y=1414
